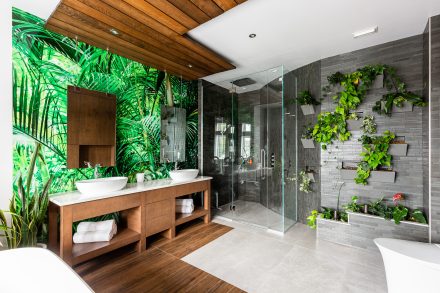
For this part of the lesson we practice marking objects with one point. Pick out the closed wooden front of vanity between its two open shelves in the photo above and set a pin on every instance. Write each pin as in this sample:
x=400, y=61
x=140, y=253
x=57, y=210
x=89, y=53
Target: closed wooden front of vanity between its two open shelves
x=158, y=216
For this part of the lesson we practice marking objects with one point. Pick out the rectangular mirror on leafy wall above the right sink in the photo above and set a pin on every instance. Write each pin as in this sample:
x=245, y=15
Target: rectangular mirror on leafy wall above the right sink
x=172, y=134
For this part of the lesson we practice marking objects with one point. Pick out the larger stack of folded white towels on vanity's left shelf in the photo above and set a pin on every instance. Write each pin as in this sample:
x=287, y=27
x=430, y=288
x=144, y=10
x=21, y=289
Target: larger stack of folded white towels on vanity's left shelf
x=95, y=231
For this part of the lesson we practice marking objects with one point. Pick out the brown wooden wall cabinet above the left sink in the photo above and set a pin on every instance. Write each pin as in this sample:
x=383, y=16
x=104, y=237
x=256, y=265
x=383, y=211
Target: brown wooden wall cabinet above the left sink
x=91, y=128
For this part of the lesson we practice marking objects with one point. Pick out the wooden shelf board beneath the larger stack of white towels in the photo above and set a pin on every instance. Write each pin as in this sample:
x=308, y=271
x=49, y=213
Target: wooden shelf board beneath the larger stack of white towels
x=85, y=251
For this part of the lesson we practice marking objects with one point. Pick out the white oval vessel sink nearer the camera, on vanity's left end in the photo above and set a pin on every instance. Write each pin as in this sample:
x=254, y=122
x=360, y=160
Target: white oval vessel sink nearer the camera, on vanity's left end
x=101, y=185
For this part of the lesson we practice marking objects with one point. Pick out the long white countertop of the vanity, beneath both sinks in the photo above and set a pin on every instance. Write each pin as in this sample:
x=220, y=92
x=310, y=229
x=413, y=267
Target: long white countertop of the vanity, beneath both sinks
x=75, y=197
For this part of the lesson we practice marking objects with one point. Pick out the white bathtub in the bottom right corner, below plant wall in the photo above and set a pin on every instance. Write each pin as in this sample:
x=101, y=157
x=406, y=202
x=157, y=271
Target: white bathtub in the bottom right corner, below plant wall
x=410, y=266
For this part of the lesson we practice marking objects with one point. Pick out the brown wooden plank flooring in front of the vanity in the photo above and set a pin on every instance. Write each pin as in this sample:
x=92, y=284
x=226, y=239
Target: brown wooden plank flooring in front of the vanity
x=159, y=269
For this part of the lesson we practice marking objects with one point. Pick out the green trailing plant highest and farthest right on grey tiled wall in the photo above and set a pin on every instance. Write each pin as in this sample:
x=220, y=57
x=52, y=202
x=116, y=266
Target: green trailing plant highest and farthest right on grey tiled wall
x=398, y=96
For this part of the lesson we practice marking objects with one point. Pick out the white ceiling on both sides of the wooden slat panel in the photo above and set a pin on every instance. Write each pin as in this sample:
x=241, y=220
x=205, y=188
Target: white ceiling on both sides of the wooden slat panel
x=294, y=33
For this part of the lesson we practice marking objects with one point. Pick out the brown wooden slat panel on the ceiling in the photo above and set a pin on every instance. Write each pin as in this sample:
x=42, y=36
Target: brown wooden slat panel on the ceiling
x=152, y=32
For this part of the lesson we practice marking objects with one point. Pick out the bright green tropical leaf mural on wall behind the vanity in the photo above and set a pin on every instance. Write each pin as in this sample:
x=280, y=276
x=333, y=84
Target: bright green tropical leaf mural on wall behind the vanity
x=45, y=63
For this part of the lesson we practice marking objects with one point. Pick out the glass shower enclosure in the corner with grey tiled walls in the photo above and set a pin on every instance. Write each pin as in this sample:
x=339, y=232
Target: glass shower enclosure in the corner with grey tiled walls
x=249, y=147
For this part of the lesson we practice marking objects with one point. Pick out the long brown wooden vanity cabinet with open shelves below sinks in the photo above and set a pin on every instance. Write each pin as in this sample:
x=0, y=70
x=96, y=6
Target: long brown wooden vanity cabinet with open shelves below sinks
x=143, y=213
